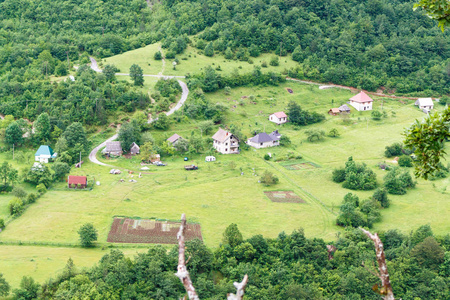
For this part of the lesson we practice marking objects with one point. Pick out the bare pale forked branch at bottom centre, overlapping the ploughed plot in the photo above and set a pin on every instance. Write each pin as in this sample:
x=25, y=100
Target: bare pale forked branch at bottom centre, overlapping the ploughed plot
x=183, y=273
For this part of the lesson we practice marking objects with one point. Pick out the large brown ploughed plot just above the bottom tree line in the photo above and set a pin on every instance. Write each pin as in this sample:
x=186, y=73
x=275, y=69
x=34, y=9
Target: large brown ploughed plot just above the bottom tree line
x=126, y=230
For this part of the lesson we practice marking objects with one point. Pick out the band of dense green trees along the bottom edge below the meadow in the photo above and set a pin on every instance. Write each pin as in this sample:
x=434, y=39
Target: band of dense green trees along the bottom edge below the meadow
x=287, y=267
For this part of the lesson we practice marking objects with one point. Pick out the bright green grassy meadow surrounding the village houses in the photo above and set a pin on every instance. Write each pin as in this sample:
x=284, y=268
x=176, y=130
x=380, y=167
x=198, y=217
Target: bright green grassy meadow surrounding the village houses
x=217, y=194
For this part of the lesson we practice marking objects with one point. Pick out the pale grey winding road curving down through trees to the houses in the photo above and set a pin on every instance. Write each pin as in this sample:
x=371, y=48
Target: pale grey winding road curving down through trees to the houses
x=183, y=98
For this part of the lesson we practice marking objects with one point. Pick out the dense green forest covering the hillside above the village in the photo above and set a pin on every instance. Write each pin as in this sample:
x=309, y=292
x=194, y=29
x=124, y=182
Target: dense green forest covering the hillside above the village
x=367, y=44
